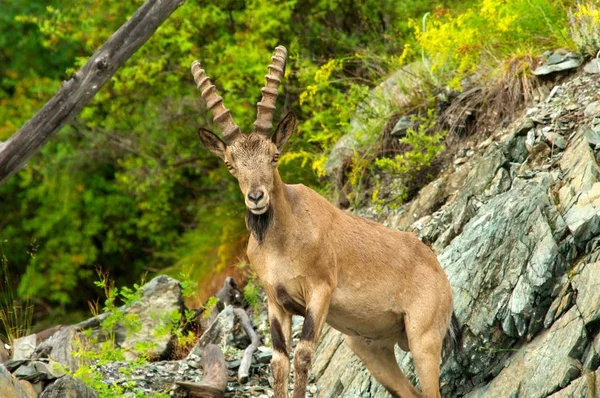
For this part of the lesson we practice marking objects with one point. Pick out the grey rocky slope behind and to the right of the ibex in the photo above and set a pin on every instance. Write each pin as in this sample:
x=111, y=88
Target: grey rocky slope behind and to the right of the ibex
x=515, y=224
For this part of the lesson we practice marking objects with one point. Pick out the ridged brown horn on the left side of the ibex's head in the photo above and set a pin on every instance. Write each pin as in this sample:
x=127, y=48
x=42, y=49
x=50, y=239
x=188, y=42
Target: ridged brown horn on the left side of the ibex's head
x=221, y=115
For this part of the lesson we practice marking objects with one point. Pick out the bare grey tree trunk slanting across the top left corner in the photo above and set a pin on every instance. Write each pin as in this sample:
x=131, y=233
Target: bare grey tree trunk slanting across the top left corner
x=77, y=92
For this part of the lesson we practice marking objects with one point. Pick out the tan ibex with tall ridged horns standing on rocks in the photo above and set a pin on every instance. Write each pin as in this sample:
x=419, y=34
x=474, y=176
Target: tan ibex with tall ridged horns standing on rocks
x=378, y=286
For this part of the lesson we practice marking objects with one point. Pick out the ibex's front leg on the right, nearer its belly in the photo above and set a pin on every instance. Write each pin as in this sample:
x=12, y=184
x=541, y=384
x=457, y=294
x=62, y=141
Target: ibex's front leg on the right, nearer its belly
x=316, y=312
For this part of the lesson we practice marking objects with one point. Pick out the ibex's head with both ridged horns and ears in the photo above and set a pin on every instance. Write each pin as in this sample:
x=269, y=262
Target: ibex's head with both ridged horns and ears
x=251, y=158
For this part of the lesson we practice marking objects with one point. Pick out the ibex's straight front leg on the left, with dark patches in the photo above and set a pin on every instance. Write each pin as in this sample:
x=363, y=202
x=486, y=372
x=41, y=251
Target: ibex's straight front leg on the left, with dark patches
x=281, y=332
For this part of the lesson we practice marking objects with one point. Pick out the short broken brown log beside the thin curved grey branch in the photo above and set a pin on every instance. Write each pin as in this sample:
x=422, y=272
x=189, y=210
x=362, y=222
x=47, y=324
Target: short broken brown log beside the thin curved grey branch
x=214, y=383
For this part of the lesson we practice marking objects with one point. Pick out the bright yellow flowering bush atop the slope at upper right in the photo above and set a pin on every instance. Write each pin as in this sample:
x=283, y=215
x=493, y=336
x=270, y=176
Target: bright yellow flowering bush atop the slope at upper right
x=454, y=46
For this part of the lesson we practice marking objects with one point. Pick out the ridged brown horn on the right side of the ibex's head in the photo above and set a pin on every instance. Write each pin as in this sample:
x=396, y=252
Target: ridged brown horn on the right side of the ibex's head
x=266, y=107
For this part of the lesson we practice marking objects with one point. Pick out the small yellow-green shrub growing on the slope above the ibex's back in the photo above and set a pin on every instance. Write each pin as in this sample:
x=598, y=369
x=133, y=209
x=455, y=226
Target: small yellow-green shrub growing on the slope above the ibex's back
x=424, y=144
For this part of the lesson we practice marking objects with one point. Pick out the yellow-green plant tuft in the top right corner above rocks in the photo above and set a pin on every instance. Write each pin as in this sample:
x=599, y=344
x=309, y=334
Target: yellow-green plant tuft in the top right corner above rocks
x=585, y=26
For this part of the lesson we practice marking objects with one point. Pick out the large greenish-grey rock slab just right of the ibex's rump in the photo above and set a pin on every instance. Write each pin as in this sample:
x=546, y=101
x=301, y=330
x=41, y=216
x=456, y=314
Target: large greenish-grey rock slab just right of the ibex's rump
x=501, y=265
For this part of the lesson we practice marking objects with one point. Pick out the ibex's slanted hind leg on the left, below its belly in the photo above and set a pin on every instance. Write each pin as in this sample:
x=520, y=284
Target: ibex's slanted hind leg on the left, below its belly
x=380, y=360
